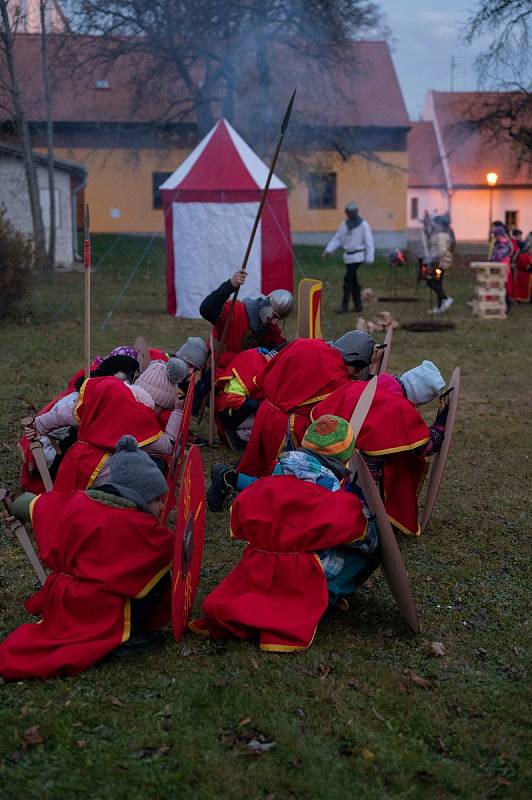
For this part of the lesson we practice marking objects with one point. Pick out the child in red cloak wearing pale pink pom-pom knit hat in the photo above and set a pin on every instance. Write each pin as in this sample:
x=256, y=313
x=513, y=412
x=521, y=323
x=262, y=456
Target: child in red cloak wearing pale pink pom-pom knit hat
x=108, y=409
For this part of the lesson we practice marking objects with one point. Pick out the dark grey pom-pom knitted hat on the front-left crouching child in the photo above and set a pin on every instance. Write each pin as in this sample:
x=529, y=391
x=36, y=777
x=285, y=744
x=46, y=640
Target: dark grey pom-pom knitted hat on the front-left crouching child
x=135, y=475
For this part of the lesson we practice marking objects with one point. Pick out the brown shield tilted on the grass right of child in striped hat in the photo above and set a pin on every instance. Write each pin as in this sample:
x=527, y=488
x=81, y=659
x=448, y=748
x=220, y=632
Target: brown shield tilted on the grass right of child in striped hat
x=391, y=564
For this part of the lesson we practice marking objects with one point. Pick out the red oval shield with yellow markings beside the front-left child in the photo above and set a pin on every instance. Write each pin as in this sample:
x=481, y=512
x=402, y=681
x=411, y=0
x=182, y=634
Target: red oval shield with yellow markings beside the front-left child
x=189, y=537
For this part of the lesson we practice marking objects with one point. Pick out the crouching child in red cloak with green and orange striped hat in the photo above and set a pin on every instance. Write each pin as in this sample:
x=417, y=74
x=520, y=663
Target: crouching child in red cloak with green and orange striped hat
x=309, y=543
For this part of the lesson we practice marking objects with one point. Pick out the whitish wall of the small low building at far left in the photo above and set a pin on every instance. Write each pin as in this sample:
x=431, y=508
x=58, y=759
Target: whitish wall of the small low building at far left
x=14, y=196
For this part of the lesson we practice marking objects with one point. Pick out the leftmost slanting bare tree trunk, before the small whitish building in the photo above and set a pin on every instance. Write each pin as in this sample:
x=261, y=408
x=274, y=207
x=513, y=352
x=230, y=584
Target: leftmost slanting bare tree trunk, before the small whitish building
x=21, y=124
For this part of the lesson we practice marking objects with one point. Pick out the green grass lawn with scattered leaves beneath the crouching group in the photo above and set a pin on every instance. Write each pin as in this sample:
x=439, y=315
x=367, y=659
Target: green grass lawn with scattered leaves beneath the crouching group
x=350, y=717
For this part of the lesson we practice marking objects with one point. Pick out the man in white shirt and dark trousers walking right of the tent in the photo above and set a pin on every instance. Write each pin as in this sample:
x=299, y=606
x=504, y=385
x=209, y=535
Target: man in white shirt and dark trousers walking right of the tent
x=355, y=237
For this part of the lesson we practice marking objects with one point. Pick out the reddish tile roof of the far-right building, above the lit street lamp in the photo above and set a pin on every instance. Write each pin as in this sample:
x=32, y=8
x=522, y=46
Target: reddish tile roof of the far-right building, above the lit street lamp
x=472, y=153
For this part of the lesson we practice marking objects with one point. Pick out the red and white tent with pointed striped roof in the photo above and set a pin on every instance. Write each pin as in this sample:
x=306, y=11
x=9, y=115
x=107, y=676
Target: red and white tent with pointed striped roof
x=210, y=203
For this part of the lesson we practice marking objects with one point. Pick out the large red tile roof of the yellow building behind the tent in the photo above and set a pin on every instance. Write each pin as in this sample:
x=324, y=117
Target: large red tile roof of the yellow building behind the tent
x=325, y=98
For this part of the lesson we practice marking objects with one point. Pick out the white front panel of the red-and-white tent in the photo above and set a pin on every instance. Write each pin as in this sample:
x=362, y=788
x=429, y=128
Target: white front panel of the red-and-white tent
x=209, y=245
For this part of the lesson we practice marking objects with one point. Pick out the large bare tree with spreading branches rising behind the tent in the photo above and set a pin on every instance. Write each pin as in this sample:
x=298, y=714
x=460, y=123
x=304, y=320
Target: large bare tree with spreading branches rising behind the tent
x=224, y=56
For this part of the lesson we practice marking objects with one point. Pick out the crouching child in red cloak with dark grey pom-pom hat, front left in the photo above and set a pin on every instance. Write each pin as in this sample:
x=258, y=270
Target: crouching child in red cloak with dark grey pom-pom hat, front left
x=109, y=561
